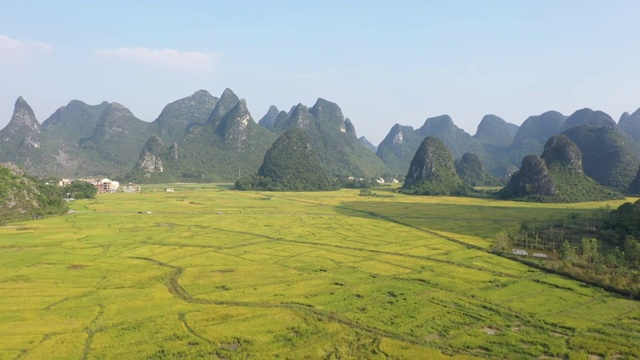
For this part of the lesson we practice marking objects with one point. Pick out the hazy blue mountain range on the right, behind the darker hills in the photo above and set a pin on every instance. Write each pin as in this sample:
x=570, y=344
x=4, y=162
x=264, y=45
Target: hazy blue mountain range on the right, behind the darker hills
x=501, y=145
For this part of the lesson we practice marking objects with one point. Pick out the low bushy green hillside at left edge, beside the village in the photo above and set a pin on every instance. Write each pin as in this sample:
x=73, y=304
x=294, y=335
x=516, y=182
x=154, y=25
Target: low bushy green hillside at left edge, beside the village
x=23, y=197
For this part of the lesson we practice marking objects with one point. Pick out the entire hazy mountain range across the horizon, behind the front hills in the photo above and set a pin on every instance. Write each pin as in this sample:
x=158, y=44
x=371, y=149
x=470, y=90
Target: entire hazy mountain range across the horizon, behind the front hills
x=205, y=138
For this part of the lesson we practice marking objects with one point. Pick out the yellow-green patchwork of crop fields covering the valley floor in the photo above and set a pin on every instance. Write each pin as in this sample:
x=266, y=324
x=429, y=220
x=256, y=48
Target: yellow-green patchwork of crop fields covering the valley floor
x=207, y=272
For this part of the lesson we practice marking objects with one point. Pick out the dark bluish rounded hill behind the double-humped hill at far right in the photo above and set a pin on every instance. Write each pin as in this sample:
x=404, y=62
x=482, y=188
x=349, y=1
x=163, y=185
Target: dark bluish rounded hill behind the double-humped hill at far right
x=607, y=156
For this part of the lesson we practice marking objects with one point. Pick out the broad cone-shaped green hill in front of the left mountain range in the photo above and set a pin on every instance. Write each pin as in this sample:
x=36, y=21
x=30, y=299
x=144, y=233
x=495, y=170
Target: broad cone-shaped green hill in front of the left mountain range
x=290, y=165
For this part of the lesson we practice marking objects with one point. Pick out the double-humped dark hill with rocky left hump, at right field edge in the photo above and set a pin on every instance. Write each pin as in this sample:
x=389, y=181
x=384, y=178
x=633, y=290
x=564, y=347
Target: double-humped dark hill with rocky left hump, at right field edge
x=556, y=176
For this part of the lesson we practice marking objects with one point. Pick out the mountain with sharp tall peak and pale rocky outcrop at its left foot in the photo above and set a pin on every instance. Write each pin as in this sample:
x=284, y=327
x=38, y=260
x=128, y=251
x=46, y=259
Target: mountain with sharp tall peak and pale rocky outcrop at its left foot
x=228, y=145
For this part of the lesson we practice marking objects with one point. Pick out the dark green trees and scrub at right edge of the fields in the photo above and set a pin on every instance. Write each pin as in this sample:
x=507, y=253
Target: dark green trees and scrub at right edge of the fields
x=604, y=250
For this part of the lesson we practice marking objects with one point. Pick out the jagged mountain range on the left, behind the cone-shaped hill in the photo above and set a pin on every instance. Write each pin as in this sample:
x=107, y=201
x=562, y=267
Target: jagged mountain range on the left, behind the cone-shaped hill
x=199, y=138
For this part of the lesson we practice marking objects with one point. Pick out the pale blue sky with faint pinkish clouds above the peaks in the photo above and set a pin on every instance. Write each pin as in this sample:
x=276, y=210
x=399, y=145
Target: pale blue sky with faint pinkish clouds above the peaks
x=383, y=62
